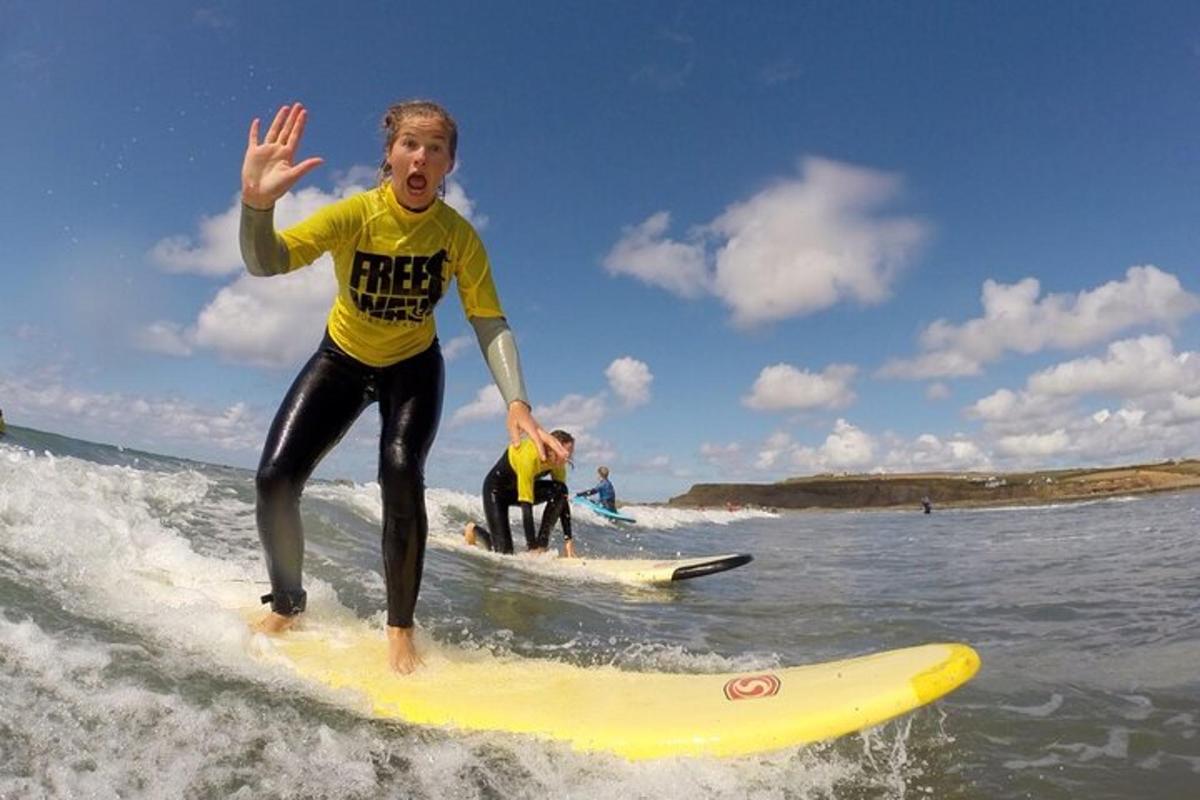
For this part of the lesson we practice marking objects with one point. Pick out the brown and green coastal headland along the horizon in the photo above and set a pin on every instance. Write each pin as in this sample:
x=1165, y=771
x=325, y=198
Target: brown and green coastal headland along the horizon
x=886, y=491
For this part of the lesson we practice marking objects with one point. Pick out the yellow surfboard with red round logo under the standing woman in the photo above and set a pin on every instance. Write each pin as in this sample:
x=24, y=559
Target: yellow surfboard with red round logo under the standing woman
x=637, y=715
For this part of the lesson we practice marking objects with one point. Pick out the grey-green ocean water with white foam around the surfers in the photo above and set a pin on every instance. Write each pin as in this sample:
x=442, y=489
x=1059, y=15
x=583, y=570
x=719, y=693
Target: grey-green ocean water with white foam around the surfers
x=127, y=670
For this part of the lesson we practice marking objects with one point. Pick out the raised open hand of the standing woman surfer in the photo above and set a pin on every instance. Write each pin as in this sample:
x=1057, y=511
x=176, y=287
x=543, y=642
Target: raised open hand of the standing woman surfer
x=268, y=171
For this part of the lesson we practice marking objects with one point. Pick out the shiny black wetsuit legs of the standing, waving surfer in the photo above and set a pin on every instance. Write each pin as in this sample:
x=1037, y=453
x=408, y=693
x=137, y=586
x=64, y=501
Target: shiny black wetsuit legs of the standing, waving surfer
x=325, y=401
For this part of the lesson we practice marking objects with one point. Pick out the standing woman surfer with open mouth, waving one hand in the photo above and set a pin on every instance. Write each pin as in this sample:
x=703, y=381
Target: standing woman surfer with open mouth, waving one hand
x=395, y=249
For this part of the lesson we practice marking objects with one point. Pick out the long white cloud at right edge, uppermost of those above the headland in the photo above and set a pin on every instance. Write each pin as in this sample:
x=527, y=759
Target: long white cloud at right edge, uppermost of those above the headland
x=1017, y=320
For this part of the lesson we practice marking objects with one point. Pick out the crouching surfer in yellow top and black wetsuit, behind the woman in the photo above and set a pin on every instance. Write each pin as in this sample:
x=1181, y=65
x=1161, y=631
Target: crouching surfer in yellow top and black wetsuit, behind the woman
x=525, y=478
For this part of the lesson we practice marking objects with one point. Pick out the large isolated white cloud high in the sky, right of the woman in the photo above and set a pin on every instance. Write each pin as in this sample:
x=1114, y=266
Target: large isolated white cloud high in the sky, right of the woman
x=797, y=248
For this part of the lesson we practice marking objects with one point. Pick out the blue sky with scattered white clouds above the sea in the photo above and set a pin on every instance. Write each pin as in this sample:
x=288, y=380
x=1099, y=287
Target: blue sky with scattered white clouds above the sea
x=735, y=242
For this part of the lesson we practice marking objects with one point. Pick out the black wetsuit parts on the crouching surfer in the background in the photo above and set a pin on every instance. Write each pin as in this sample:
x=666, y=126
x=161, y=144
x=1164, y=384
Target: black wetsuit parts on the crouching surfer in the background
x=501, y=494
